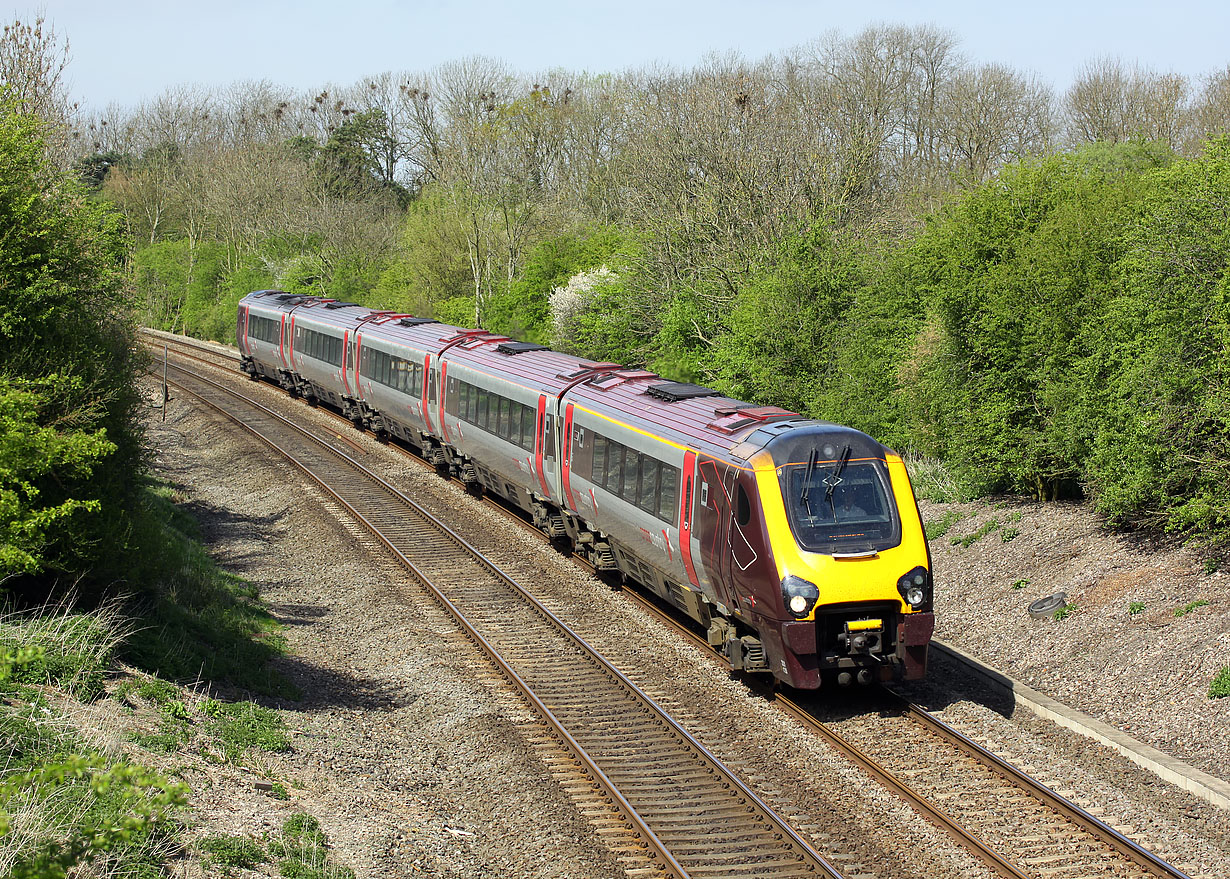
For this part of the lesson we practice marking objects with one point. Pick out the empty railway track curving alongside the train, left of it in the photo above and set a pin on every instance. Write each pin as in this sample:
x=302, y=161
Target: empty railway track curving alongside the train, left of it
x=694, y=816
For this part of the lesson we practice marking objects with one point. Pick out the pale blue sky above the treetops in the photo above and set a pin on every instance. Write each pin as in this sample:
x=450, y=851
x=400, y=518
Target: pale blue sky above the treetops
x=131, y=51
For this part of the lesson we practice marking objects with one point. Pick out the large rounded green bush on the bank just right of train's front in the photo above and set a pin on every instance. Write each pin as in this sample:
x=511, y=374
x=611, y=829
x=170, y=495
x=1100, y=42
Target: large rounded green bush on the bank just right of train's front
x=1014, y=277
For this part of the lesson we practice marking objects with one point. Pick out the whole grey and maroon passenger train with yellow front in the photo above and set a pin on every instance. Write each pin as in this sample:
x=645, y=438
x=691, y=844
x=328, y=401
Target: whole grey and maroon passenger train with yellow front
x=795, y=544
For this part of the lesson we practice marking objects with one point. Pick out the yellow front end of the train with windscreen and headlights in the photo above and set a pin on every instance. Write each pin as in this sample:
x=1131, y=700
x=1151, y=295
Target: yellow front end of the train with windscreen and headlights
x=852, y=560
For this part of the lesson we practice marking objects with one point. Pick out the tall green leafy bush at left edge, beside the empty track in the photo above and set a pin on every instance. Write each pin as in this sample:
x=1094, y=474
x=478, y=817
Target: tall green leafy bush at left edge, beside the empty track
x=69, y=446
